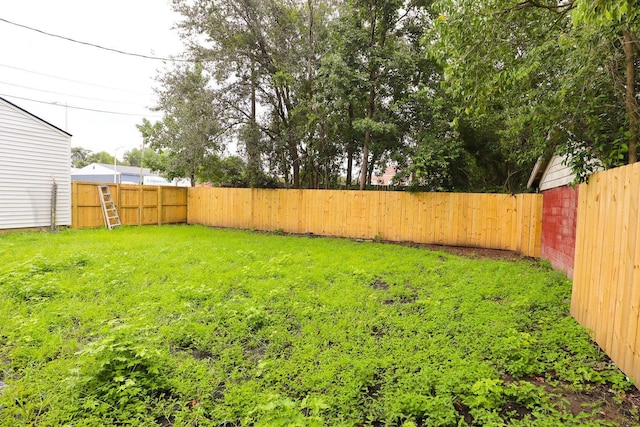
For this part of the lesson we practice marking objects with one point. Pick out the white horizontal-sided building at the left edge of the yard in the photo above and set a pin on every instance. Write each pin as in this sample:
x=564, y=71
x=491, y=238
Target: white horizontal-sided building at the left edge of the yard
x=33, y=155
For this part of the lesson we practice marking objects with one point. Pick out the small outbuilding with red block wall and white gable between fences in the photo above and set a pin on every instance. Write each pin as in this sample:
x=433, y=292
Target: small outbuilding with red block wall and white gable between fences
x=553, y=177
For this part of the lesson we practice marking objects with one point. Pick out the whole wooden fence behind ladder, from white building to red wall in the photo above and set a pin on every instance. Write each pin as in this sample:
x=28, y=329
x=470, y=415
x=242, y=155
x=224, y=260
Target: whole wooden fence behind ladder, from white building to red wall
x=475, y=220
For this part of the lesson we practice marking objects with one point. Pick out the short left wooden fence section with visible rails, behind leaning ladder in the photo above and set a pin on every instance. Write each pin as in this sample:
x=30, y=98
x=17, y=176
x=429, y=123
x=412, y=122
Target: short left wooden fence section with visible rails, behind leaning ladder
x=137, y=204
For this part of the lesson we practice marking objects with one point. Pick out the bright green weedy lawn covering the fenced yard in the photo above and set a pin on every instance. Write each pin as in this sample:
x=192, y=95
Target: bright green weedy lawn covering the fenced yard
x=195, y=326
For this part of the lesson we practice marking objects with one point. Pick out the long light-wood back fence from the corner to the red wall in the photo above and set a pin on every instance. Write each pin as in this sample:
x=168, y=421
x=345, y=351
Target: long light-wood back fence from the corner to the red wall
x=498, y=221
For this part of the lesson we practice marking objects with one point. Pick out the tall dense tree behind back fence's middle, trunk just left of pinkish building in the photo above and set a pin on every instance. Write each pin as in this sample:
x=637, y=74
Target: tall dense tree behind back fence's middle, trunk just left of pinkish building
x=369, y=63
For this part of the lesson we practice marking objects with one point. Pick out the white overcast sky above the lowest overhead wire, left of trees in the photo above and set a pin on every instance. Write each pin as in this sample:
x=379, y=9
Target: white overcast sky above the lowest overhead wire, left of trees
x=111, y=81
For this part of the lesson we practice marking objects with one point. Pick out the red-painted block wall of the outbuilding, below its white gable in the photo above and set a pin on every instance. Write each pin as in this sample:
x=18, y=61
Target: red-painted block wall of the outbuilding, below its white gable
x=559, y=220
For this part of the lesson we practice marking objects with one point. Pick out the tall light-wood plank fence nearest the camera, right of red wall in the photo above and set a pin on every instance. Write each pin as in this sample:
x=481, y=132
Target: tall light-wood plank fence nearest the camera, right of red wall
x=606, y=282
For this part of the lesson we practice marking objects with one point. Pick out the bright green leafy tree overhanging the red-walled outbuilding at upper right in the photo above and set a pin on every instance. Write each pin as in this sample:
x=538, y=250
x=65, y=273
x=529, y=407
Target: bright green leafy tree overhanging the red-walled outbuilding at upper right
x=545, y=75
